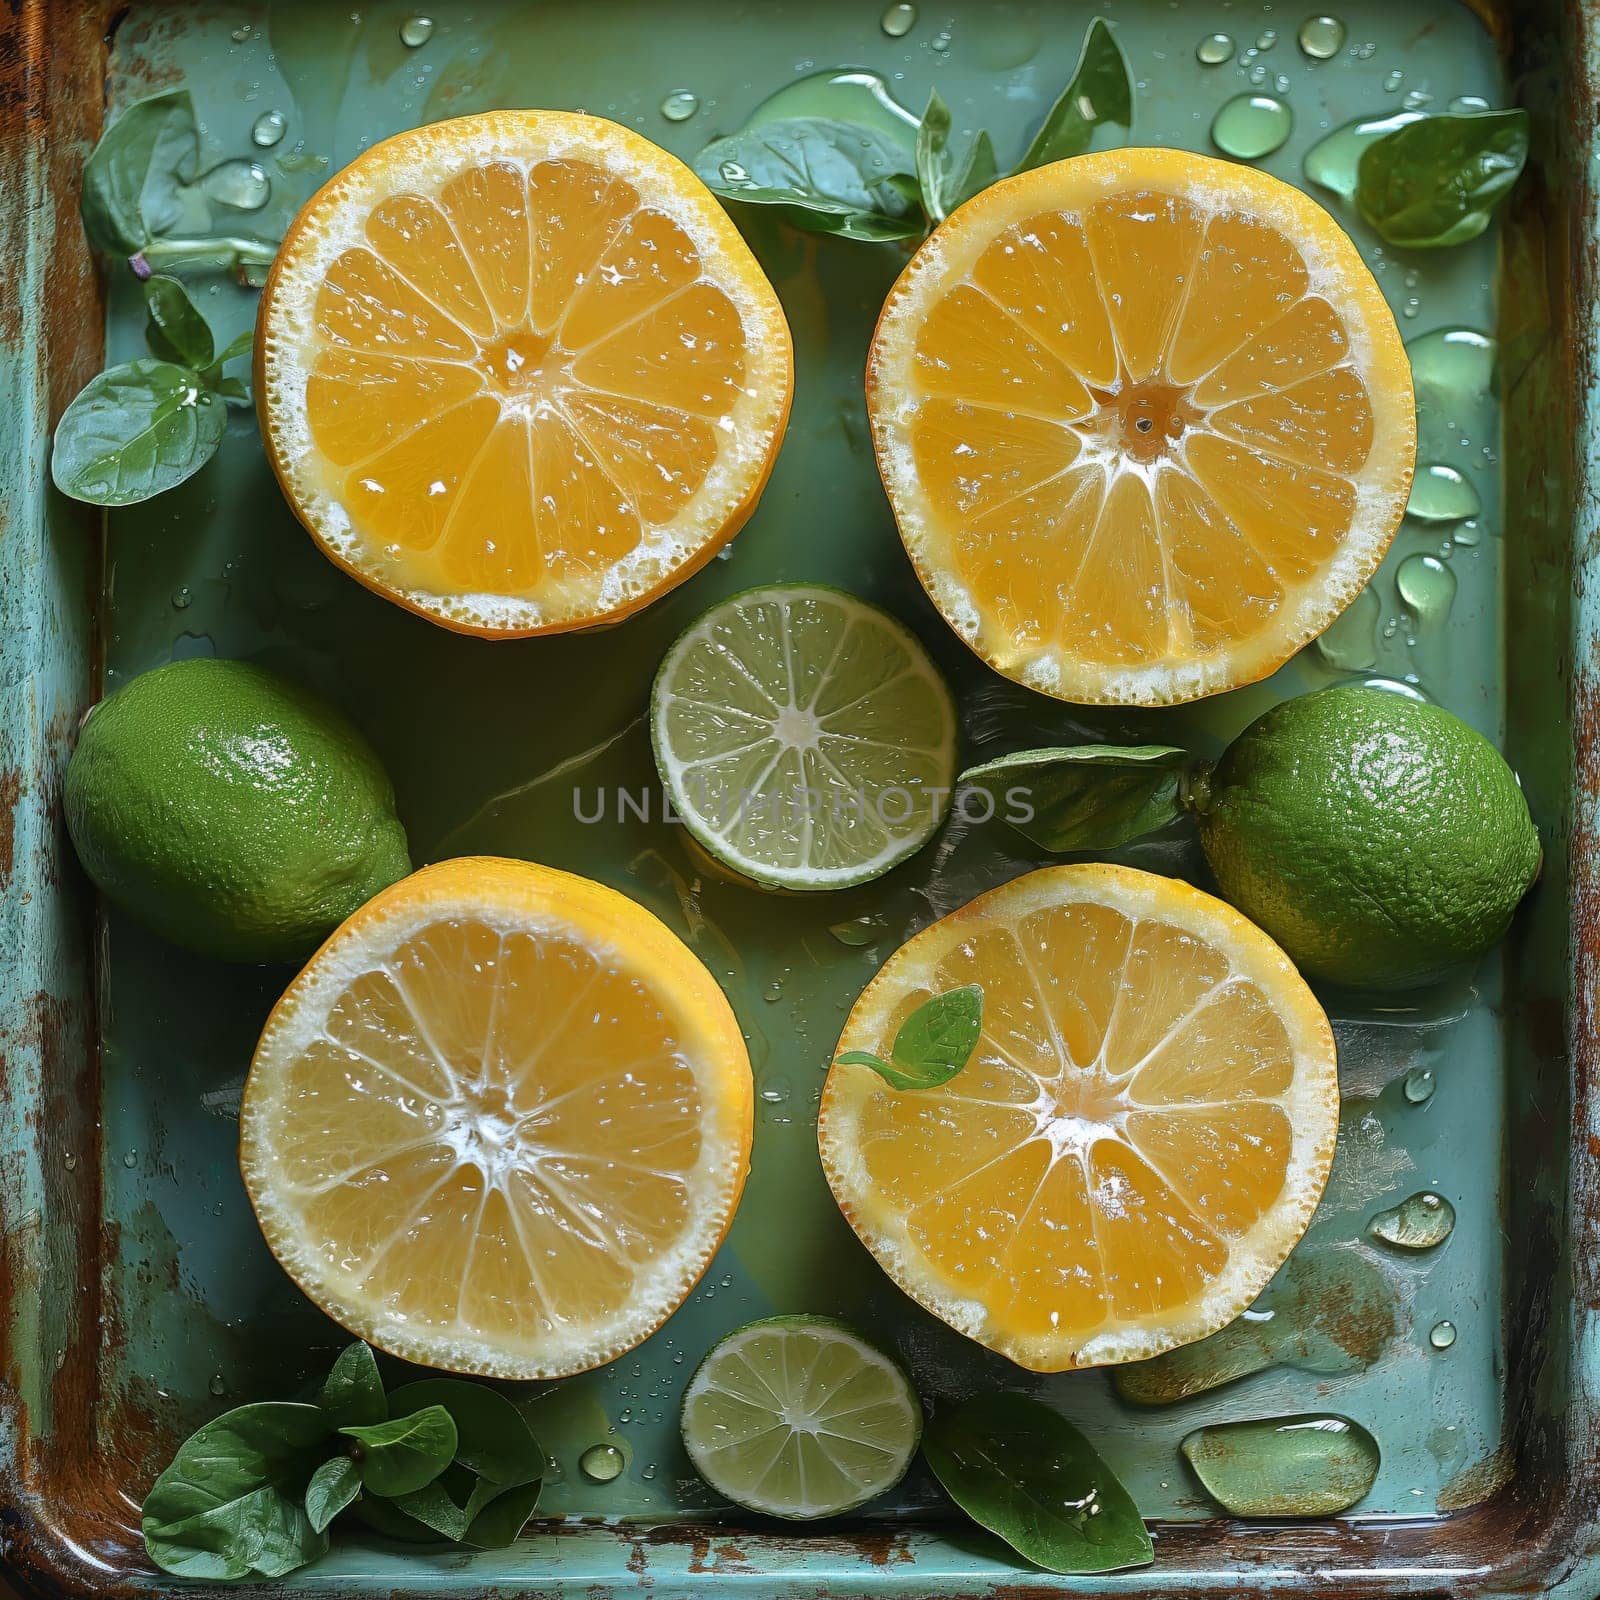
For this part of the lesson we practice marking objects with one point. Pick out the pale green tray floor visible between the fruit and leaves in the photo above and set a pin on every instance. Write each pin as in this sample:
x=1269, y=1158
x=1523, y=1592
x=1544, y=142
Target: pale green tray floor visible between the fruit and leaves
x=487, y=742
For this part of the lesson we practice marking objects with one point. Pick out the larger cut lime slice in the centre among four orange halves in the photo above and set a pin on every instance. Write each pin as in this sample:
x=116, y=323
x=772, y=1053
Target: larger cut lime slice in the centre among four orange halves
x=806, y=738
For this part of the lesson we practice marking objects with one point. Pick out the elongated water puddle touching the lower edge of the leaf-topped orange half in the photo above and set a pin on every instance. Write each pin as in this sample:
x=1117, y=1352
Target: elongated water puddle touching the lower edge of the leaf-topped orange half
x=1329, y=1311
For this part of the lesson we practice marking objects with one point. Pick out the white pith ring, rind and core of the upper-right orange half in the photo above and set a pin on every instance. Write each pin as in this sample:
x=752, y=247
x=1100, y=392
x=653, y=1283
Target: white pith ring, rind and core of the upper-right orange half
x=1337, y=274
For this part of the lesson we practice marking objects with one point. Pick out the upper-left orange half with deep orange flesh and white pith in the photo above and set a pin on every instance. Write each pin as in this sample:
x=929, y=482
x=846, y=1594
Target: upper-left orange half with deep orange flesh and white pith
x=519, y=372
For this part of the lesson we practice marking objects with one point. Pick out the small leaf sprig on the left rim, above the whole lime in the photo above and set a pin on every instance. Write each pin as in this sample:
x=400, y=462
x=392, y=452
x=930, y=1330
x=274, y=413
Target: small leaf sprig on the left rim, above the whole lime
x=148, y=425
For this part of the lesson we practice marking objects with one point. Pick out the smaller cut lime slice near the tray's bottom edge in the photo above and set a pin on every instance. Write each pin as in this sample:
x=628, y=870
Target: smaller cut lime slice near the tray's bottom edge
x=801, y=1418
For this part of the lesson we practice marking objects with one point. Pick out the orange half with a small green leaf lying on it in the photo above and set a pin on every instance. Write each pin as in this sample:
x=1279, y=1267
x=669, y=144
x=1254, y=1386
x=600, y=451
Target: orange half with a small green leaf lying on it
x=1138, y=1142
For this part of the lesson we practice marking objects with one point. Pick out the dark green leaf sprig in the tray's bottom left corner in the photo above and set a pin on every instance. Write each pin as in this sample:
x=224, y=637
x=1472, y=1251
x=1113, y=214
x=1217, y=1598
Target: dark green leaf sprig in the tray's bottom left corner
x=254, y=1492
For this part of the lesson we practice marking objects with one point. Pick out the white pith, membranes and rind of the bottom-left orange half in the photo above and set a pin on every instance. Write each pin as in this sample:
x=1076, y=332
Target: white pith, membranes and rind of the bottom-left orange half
x=476, y=1124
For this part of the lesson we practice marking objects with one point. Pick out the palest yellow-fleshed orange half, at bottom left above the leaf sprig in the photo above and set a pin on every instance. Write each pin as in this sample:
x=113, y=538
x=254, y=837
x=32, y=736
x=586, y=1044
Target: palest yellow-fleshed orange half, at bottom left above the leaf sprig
x=500, y=1124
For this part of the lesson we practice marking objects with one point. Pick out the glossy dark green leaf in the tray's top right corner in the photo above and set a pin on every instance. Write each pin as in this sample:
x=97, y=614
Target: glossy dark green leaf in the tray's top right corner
x=1438, y=182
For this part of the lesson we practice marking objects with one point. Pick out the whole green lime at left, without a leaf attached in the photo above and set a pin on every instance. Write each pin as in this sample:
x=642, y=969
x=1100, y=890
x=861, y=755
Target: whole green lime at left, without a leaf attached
x=231, y=810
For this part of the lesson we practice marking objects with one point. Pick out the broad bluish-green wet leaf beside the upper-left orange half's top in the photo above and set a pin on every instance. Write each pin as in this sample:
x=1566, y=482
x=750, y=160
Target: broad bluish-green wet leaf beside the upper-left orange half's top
x=826, y=177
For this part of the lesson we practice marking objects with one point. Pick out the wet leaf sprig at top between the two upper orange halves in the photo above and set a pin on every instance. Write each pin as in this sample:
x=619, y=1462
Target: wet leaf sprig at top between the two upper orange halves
x=834, y=177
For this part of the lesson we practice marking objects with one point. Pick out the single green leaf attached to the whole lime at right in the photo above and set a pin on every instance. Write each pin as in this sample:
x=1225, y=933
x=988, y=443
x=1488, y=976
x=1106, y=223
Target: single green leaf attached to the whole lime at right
x=1087, y=796
